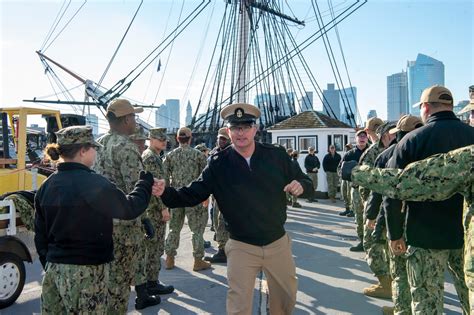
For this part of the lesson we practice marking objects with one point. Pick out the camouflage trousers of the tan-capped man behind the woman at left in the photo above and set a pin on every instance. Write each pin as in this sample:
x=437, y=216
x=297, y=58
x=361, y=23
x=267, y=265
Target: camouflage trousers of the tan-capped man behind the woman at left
x=125, y=267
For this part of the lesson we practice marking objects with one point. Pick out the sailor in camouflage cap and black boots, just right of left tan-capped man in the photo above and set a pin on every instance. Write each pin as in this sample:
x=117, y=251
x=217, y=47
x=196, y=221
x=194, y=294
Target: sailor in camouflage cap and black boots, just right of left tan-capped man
x=157, y=212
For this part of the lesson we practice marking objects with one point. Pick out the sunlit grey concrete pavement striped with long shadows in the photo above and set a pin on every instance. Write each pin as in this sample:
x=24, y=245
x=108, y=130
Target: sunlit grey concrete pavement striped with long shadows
x=331, y=278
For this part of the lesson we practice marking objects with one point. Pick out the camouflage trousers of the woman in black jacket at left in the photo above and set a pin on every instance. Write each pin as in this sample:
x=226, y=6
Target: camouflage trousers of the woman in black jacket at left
x=74, y=289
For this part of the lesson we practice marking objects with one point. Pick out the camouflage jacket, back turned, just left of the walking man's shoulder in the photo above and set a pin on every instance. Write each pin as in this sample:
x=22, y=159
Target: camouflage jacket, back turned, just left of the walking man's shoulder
x=183, y=165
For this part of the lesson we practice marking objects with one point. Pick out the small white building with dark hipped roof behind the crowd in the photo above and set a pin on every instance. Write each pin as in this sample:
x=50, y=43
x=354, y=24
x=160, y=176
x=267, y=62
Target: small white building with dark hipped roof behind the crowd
x=314, y=129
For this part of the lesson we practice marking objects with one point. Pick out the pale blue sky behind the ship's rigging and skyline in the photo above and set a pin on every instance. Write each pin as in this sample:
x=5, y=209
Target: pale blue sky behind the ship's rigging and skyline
x=378, y=39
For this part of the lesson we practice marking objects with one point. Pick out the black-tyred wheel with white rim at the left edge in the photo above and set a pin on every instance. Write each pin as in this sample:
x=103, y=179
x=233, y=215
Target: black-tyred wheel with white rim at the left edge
x=12, y=278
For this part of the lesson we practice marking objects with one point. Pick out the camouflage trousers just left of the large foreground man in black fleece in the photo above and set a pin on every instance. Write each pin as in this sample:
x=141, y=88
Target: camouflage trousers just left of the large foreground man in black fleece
x=400, y=288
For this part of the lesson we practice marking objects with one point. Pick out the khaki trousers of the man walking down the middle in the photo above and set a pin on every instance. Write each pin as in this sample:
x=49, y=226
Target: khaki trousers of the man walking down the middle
x=245, y=261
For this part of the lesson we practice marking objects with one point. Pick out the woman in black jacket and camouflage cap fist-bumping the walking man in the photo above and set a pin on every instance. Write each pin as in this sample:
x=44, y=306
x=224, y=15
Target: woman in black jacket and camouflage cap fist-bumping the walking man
x=73, y=223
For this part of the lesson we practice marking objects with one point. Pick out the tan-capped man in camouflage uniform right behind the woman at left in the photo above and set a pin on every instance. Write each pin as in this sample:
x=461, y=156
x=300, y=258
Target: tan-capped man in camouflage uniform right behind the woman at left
x=120, y=162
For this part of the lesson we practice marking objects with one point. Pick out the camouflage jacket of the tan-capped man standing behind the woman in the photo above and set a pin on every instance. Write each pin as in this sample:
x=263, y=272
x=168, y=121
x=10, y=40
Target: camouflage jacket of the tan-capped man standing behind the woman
x=120, y=162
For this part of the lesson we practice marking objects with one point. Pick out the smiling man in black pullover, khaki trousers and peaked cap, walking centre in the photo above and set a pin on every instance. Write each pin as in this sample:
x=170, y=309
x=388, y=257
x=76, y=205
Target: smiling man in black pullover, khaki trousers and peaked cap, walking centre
x=249, y=181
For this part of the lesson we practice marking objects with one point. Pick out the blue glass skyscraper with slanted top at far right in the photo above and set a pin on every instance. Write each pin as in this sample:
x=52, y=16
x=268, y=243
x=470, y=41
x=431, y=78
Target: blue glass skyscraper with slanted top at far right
x=422, y=73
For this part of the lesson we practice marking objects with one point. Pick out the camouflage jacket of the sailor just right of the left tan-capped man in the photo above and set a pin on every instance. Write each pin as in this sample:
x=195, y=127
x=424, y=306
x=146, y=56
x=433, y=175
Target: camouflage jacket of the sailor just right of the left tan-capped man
x=152, y=163
